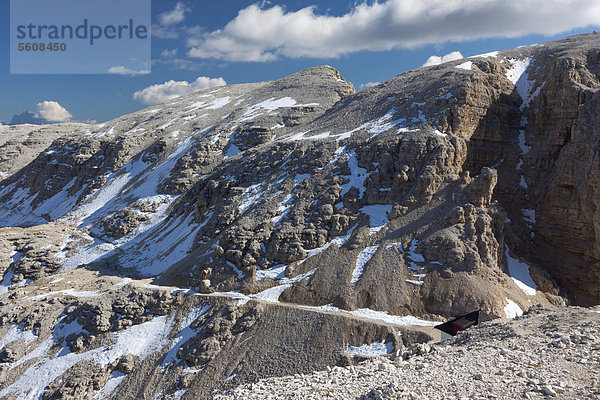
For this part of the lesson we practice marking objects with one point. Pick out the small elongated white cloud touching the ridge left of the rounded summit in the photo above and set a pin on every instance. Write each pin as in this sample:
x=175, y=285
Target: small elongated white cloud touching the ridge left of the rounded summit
x=171, y=89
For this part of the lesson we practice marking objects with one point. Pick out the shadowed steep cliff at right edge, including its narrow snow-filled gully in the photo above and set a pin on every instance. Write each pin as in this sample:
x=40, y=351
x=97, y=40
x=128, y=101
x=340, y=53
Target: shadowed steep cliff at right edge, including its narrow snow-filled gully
x=557, y=166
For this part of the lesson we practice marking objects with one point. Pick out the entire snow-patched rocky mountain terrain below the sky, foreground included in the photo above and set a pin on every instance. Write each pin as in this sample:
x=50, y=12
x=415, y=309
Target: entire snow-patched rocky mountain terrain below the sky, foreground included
x=241, y=234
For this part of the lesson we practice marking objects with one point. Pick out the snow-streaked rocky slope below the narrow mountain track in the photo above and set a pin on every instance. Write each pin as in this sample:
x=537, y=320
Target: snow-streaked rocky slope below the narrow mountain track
x=135, y=340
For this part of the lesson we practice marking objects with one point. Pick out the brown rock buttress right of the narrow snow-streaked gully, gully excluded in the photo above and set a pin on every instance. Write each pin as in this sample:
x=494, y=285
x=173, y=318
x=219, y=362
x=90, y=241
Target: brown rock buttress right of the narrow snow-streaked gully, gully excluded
x=563, y=170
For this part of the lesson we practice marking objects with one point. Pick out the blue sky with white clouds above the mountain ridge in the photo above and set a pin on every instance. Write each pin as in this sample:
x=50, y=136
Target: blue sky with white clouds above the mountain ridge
x=366, y=42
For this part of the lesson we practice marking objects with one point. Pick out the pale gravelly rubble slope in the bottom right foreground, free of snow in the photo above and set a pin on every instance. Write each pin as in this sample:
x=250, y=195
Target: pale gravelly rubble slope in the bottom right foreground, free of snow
x=543, y=355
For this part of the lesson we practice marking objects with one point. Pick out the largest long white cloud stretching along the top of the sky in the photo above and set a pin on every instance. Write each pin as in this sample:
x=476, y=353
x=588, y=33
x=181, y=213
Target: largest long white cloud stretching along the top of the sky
x=260, y=33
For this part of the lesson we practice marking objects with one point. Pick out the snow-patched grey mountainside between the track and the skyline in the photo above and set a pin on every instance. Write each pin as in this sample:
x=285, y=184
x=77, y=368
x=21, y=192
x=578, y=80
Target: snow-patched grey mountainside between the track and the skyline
x=279, y=174
